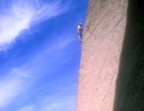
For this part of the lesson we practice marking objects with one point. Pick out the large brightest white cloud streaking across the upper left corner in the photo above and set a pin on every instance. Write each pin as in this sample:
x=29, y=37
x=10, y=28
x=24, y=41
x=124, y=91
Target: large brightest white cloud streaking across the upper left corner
x=21, y=14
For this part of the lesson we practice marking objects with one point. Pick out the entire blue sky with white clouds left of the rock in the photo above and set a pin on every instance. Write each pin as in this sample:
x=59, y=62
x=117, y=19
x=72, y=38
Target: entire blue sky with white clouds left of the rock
x=39, y=54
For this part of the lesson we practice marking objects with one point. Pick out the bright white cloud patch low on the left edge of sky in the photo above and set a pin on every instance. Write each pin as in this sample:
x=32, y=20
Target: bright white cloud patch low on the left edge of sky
x=12, y=86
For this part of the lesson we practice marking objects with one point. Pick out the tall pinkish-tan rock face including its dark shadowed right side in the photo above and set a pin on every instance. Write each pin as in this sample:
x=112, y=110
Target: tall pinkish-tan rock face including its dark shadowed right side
x=111, y=74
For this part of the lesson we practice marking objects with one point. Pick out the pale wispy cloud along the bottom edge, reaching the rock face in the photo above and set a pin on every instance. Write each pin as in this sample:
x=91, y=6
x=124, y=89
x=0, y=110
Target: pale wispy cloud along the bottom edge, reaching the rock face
x=63, y=100
